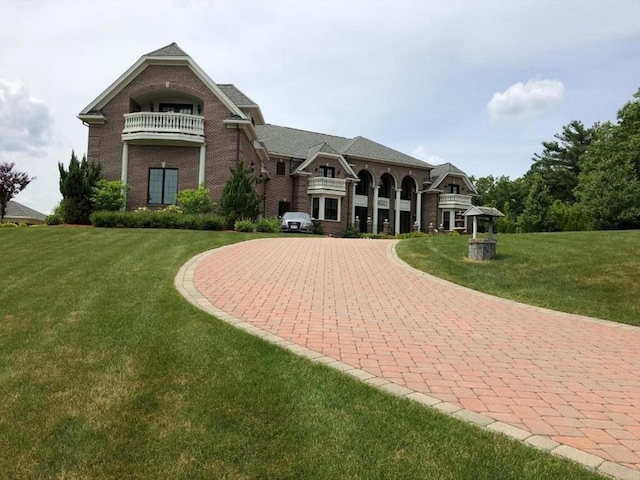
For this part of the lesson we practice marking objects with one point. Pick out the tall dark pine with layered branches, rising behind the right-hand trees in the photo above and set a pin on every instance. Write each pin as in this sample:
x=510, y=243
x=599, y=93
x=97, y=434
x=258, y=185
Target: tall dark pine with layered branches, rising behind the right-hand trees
x=560, y=161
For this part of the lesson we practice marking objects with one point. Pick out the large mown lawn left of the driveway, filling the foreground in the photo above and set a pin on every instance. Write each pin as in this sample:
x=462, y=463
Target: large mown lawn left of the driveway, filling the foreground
x=106, y=372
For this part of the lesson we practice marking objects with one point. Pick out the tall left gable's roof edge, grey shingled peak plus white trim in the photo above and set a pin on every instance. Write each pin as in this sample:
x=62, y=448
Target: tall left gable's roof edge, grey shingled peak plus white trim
x=170, y=55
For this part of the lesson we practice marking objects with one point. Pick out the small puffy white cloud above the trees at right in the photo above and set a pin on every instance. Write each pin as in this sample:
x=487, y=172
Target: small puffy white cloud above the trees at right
x=525, y=100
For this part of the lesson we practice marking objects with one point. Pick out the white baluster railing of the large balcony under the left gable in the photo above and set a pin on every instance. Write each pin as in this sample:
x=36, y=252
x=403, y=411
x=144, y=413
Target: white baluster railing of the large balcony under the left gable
x=157, y=122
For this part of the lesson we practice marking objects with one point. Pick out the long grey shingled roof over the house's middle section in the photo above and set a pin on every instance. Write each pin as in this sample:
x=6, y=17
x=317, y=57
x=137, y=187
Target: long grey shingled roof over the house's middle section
x=291, y=142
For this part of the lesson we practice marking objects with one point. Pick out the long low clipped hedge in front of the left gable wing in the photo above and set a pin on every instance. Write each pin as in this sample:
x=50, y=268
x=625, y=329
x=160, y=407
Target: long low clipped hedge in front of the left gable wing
x=157, y=219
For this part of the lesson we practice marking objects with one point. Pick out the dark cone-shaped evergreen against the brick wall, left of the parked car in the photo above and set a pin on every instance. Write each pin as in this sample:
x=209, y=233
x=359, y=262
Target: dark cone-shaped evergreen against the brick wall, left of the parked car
x=239, y=198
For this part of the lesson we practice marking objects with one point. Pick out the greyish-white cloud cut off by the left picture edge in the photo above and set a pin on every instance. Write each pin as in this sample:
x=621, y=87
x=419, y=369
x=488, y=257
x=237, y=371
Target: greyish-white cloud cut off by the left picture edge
x=25, y=122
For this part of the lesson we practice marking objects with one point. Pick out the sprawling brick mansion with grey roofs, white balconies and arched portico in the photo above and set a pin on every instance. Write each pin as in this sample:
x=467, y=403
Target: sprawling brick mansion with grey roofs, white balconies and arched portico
x=164, y=126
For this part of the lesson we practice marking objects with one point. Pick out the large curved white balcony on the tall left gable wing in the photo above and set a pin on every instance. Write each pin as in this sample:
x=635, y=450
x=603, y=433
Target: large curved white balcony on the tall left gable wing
x=163, y=128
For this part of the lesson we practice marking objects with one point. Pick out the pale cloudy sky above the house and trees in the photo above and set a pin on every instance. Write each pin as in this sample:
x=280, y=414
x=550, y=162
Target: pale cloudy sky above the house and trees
x=479, y=84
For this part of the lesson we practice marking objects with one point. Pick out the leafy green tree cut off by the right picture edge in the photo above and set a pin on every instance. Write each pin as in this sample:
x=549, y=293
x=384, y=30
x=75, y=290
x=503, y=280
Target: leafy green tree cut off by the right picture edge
x=609, y=188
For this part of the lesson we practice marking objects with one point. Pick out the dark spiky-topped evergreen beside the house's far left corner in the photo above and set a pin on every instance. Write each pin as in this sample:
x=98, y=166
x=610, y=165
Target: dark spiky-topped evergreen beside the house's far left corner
x=76, y=187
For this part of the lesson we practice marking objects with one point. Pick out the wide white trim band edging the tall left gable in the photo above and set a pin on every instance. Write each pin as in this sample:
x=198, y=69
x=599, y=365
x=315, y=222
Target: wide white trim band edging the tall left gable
x=138, y=67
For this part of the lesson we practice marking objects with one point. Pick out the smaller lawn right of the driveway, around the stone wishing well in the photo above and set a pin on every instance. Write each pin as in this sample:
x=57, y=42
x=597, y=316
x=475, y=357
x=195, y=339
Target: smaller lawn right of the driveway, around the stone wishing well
x=588, y=273
